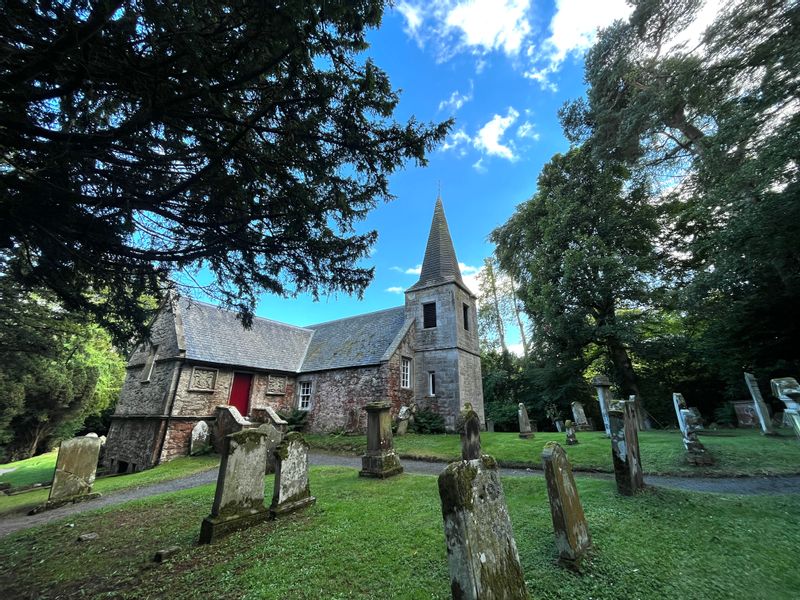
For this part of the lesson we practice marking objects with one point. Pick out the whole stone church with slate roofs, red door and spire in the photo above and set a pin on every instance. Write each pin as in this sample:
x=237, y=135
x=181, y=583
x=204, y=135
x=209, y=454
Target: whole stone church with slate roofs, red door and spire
x=200, y=358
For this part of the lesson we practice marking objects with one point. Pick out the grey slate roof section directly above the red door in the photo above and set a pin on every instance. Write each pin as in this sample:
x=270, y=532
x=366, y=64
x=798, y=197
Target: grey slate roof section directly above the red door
x=217, y=336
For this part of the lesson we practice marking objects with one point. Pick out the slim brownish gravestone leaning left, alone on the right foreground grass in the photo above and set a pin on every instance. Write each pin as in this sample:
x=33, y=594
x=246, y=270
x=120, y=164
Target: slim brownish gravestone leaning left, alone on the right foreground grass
x=569, y=522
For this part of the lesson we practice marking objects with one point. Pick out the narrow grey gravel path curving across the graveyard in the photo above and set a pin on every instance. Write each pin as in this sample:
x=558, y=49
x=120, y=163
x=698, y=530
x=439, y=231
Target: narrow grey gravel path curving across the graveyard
x=726, y=485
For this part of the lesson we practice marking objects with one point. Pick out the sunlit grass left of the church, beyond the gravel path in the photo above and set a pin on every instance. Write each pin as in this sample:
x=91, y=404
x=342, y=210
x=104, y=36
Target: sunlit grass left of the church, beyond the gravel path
x=39, y=469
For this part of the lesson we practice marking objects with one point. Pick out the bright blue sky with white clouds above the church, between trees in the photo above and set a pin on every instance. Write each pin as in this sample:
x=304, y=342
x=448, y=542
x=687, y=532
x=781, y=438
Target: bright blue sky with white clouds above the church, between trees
x=502, y=68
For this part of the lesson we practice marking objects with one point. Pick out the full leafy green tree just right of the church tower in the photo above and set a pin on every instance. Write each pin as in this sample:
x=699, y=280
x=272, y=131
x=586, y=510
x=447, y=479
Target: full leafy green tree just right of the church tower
x=582, y=250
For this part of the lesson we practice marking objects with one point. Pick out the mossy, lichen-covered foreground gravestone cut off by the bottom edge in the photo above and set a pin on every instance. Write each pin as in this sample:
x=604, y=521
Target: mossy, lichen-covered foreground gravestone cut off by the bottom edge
x=481, y=553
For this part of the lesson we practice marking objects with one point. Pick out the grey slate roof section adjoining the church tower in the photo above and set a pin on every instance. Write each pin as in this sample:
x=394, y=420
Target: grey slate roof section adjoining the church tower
x=355, y=341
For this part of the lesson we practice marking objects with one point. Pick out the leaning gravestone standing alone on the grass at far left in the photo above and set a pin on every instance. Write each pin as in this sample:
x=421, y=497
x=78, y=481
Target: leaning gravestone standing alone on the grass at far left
x=76, y=467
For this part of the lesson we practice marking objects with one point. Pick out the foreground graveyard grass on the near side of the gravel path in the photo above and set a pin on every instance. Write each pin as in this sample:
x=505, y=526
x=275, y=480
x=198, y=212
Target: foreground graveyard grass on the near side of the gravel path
x=383, y=539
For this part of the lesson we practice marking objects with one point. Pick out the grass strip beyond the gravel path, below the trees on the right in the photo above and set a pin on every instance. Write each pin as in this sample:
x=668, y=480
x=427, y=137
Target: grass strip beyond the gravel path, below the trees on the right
x=738, y=452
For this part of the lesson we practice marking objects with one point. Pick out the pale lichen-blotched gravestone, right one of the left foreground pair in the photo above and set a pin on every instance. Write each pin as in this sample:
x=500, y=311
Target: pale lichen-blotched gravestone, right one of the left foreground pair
x=291, y=476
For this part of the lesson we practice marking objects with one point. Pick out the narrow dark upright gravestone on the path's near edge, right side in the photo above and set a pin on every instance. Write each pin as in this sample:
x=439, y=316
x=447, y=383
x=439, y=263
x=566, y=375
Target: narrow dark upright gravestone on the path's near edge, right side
x=625, y=448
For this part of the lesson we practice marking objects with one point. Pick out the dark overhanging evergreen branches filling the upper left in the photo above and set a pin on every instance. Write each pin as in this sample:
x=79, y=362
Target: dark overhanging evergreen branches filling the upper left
x=141, y=139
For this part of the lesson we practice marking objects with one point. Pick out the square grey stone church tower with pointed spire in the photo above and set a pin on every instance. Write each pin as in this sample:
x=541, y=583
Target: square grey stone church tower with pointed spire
x=447, y=364
